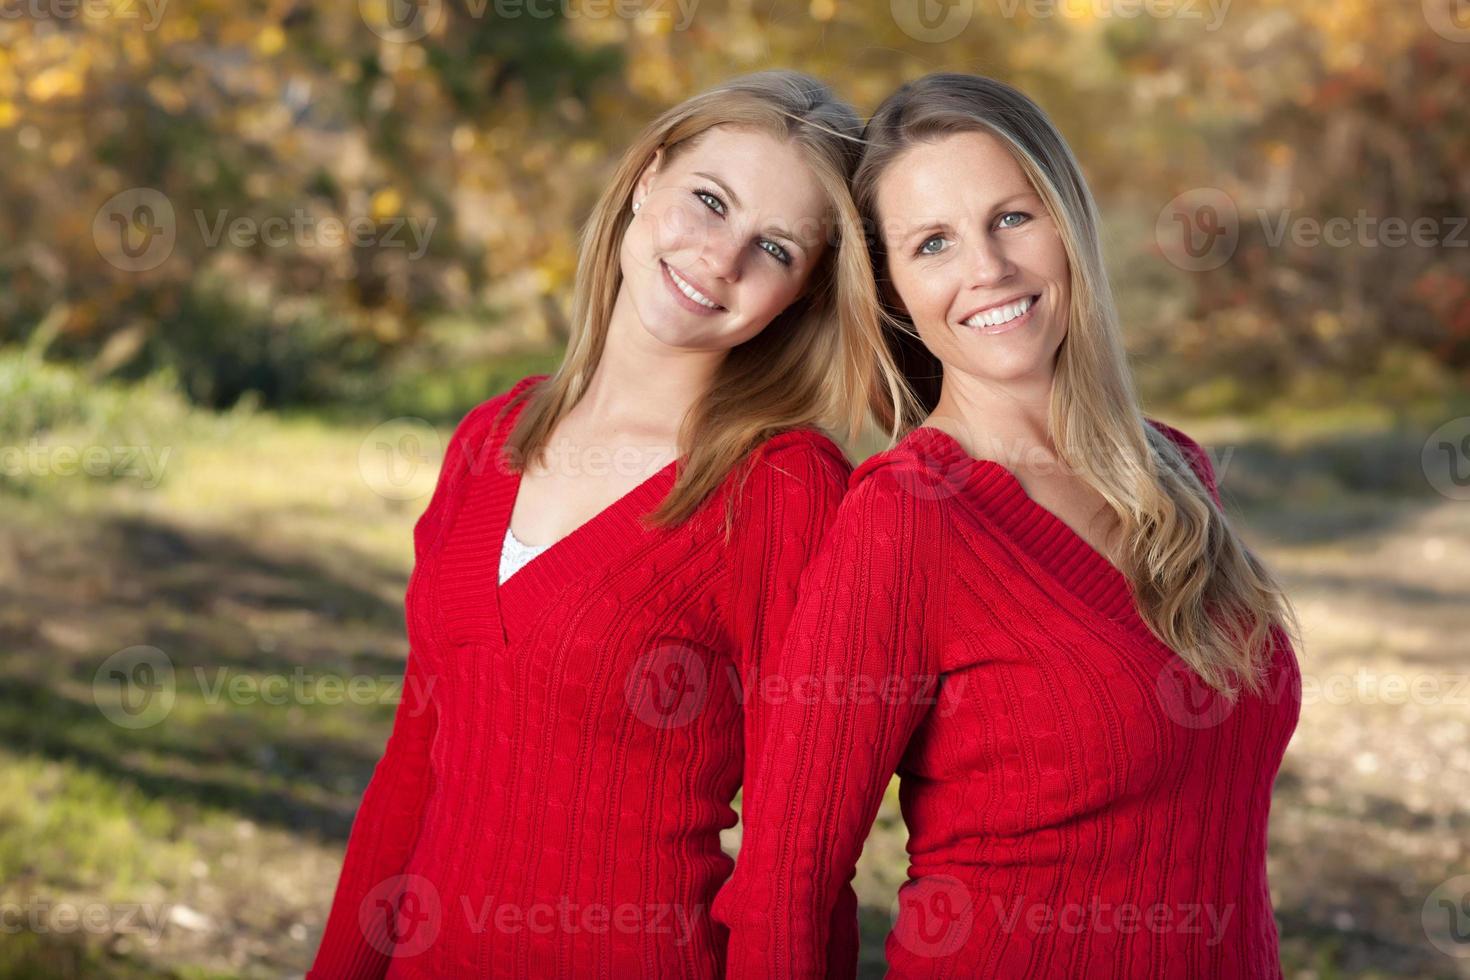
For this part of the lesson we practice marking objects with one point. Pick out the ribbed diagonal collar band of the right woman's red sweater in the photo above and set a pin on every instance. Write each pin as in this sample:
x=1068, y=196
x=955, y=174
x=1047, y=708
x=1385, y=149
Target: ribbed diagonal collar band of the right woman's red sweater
x=1039, y=534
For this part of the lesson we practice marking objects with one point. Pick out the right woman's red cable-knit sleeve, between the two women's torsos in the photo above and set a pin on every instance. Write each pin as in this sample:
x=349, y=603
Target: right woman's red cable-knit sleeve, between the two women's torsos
x=859, y=660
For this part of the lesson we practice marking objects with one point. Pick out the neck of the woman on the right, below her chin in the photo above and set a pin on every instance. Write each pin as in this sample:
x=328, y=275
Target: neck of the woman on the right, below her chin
x=1006, y=422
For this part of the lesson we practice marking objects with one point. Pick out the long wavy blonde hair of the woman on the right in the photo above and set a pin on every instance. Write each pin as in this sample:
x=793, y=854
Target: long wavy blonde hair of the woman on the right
x=1197, y=586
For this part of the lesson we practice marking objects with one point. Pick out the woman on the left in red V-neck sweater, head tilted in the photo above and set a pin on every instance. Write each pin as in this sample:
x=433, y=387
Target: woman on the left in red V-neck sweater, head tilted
x=584, y=630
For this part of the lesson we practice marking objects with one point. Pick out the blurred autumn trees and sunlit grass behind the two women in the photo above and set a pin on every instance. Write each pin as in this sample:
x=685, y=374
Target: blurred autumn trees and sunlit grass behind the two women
x=258, y=258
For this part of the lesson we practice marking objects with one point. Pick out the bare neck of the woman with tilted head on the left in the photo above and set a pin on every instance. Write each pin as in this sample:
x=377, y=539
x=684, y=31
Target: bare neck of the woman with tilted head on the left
x=640, y=383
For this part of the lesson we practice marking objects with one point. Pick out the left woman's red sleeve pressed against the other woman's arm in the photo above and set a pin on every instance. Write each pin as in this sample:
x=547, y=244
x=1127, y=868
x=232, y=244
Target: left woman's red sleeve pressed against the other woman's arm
x=787, y=509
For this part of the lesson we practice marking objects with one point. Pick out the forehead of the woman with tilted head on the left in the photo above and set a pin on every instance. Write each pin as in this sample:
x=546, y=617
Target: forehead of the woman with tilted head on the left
x=771, y=177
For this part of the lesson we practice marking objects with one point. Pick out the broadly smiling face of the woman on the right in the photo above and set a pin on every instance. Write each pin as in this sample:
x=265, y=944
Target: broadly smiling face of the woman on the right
x=975, y=258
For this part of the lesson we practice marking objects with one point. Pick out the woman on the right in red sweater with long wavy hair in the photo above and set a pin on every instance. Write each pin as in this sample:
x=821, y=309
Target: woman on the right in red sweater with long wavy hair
x=1033, y=608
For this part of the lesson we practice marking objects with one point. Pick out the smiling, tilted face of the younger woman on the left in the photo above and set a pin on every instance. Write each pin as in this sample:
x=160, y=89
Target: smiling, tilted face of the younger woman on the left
x=727, y=236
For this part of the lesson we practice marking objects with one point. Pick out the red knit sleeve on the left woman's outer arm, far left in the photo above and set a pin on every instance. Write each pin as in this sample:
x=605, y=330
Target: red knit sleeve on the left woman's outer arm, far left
x=355, y=943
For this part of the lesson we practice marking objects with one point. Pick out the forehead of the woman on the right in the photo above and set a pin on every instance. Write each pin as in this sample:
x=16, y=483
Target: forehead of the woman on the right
x=952, y=176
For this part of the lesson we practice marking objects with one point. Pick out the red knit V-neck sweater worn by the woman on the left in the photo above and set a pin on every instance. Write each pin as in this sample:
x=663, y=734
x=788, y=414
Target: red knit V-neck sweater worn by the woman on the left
x=570, y=743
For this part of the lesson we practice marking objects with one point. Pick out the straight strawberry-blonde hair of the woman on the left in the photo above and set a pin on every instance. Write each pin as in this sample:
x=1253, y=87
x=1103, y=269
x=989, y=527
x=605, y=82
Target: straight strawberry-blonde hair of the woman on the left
x=822, y=362
